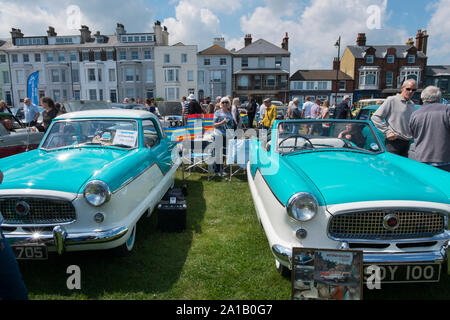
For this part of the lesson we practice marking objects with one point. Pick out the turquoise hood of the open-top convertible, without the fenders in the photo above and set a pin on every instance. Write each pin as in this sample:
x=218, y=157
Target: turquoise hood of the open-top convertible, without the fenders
x=344, y=177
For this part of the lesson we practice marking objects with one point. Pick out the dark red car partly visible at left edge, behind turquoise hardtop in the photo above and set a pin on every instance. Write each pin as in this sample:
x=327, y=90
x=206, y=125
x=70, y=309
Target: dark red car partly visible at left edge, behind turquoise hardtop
x=19, y=140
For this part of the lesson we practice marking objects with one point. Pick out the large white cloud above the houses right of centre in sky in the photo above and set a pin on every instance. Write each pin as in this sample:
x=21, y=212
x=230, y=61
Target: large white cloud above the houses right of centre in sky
x=314, y=31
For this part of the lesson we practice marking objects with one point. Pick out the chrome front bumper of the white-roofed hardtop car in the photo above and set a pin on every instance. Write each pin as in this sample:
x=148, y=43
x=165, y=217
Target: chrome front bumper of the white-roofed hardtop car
x=61, y=239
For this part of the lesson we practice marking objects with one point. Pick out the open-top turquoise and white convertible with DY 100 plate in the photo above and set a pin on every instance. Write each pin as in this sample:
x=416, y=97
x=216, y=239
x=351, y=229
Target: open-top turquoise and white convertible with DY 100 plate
x=330, y=184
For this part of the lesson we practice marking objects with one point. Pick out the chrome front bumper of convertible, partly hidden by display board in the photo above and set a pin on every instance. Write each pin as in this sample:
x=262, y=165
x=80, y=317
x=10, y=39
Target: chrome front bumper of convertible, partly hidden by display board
x=284, y=254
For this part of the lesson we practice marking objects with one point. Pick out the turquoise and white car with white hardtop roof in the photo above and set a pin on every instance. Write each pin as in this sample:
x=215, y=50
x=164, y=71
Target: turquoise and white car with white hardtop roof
x=91, y=179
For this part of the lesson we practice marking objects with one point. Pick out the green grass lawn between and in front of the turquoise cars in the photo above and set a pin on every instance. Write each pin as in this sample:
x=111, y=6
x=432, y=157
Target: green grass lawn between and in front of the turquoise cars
x=223, y=254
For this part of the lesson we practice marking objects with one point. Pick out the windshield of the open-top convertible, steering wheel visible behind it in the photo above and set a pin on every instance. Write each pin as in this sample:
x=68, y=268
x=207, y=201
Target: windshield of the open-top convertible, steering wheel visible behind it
x=297, y=136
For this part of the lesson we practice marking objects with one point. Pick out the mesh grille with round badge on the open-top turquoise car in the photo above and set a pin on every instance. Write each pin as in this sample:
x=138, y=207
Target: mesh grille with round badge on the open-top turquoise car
x=369, y=225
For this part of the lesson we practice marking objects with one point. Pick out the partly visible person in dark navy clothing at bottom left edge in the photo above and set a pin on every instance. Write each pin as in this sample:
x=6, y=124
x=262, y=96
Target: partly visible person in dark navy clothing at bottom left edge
x=11, y=284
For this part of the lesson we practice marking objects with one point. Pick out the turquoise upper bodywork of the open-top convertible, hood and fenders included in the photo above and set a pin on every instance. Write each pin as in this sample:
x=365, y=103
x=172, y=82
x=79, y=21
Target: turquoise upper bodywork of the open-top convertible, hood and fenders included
x=344, y=176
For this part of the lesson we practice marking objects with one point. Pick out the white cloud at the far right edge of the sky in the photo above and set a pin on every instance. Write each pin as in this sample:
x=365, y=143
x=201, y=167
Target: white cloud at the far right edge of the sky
x=438, y=29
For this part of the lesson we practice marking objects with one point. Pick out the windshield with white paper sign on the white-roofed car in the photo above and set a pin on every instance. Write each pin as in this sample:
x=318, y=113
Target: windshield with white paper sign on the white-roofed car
x=92, y=132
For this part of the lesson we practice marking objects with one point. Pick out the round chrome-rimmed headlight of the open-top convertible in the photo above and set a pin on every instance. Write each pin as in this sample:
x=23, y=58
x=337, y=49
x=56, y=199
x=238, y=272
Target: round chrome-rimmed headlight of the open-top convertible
x=302, y=206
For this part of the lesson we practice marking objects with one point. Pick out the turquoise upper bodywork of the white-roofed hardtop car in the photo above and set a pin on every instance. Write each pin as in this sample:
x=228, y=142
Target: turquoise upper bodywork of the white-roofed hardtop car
x=70, y=169
